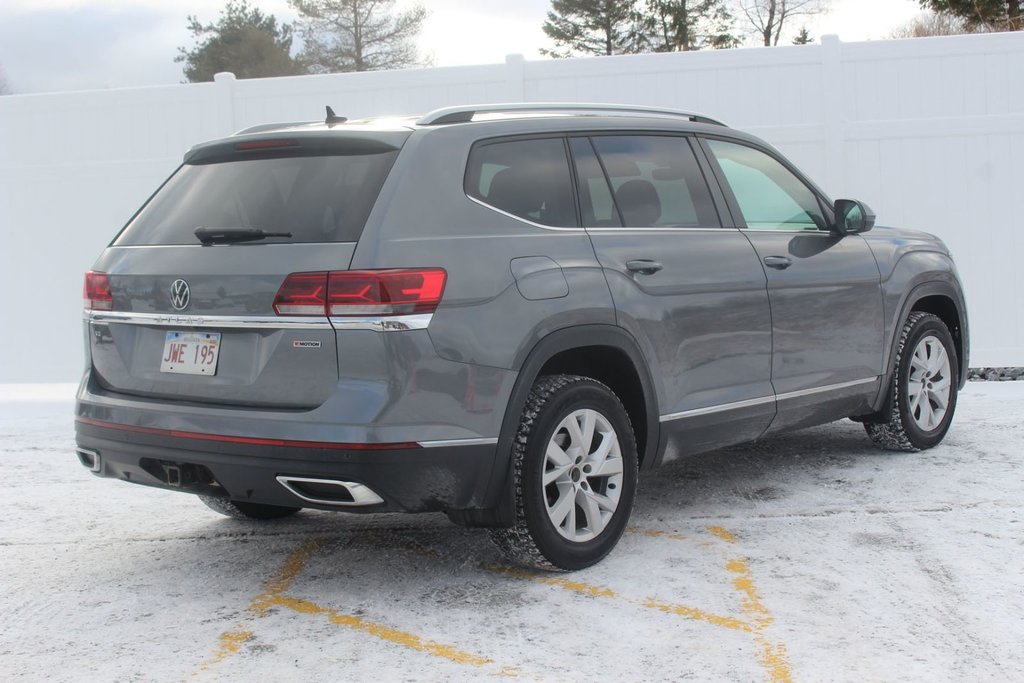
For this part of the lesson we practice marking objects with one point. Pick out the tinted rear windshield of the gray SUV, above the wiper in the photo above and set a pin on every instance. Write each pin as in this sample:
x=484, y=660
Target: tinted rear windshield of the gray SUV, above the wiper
x=317, y=199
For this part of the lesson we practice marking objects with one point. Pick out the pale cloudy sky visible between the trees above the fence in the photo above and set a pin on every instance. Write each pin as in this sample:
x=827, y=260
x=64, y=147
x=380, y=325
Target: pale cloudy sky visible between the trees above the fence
x=55, y=46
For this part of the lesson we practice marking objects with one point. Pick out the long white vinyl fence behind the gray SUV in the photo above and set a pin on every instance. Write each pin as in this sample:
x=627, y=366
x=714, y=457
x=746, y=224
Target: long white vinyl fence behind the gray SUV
x=930, y=133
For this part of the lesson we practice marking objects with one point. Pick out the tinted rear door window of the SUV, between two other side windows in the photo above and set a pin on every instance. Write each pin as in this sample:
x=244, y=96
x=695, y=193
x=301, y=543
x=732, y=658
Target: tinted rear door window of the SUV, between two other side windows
x=656, y=182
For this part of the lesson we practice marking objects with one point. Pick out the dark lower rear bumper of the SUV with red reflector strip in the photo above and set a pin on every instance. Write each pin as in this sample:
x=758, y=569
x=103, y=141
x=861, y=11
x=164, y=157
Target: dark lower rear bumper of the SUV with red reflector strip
x=406, y=478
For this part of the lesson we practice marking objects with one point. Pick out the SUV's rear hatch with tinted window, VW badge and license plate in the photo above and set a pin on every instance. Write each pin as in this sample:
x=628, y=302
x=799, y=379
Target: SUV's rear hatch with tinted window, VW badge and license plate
x=174, y=318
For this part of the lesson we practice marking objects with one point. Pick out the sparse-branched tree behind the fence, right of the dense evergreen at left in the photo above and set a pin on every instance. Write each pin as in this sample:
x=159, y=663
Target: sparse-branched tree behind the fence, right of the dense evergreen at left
x=358, y=35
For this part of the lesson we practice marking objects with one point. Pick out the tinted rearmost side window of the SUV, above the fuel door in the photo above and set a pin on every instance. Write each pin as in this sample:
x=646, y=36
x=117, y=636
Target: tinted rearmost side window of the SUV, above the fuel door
x=528, y=179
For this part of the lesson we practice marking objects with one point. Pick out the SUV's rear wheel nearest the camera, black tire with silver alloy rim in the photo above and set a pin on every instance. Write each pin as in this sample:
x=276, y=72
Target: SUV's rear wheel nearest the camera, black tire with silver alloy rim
x=575, y=460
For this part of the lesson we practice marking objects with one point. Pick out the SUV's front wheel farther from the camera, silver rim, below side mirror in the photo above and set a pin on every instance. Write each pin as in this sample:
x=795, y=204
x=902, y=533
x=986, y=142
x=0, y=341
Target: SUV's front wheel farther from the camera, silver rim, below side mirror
x=925, y=385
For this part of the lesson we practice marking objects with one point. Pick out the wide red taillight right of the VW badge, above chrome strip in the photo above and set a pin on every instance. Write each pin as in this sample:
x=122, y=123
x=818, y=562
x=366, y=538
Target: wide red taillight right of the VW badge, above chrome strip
x=393, y=292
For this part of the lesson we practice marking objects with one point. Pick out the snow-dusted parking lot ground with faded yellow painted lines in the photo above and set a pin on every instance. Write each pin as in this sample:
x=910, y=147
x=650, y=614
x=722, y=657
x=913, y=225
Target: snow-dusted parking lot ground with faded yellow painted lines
x=808, y=558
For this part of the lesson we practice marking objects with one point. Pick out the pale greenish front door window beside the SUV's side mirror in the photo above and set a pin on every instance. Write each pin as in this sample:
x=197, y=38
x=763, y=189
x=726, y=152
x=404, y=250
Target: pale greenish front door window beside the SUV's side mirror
x=771, y=197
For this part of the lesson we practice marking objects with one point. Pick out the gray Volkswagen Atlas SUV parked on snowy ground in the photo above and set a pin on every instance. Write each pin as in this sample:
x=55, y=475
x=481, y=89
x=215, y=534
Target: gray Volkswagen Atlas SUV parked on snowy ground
x=502, y=313
